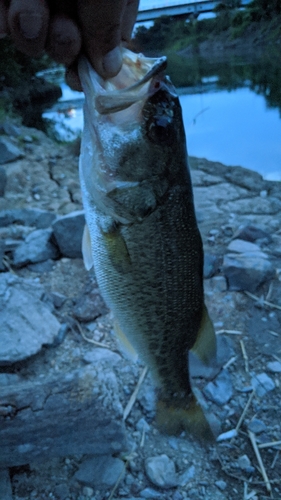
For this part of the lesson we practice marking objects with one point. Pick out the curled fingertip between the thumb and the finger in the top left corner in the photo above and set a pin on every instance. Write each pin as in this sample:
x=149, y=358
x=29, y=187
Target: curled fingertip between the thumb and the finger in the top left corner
x=64, y=40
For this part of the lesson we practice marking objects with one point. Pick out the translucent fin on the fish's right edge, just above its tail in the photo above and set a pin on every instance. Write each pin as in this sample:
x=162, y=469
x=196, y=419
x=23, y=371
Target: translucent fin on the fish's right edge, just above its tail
x=205, y=347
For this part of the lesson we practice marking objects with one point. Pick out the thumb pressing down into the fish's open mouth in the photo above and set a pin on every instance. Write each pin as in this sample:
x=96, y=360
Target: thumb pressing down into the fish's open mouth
x=100, y=24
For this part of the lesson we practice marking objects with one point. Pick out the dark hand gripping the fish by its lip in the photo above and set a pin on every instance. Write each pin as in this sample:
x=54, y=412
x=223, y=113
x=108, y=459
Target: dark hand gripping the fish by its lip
x=65, y=28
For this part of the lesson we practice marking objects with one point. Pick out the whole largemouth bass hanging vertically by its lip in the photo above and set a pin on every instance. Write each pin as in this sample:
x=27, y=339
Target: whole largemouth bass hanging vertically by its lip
x=141, y=234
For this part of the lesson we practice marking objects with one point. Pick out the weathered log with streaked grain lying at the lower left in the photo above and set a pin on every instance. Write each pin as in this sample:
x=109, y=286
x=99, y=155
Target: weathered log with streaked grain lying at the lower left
x=73, y=413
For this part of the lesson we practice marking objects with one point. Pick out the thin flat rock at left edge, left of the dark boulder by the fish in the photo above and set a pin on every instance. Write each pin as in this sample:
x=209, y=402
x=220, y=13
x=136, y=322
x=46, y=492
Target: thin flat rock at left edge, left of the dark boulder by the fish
x=41, y=219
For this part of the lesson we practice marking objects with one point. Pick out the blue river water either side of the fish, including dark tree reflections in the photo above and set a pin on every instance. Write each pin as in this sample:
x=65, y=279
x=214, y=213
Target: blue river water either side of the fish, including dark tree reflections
x=231, y=114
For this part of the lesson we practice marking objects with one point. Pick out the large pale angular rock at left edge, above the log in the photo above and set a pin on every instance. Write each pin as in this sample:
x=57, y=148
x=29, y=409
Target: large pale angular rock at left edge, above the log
x=26, y=322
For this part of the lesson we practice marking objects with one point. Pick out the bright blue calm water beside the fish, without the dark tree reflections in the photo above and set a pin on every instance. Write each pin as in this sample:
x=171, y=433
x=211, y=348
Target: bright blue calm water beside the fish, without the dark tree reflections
x=233, y=127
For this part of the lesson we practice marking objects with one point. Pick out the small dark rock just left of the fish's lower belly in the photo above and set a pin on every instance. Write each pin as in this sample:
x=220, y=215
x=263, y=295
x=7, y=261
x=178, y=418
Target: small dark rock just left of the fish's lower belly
x=90, y=304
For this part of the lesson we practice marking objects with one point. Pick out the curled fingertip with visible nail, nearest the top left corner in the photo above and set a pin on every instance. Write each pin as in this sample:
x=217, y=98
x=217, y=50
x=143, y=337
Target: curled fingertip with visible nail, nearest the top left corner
x=28, y=21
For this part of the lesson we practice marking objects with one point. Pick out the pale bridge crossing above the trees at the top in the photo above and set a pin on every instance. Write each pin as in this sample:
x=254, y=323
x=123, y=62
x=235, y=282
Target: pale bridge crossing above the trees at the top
x=177, y=8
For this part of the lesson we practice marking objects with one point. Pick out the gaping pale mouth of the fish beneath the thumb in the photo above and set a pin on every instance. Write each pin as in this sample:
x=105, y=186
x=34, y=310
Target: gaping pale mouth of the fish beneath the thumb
x=132, y=84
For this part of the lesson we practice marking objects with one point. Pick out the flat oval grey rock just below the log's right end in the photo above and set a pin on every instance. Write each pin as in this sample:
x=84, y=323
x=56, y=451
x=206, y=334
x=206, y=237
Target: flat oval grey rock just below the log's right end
x=100, y=471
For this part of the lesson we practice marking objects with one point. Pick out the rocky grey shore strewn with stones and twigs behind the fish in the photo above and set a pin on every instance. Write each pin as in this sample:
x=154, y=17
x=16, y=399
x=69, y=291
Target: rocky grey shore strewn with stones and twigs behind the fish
x=66, y=431
